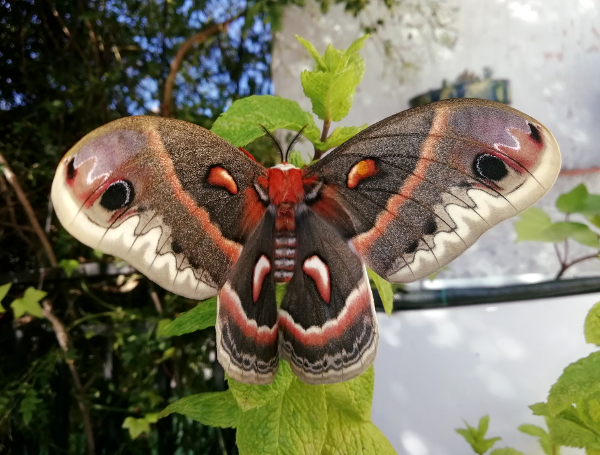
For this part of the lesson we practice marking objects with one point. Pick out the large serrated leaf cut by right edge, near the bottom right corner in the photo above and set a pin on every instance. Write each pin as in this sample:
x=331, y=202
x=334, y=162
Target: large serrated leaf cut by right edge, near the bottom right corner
x=579, y=380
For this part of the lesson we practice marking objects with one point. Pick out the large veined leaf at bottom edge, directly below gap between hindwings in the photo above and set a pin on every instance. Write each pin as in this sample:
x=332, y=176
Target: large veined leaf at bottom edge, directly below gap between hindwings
x=292, y=422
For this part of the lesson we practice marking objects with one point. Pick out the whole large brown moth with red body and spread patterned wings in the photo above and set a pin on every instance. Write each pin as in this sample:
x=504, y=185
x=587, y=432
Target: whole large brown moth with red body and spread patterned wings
x=201, y=218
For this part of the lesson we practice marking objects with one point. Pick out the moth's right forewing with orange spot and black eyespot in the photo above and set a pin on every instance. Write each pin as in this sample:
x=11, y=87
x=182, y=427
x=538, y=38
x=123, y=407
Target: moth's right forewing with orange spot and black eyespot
x=412, y=192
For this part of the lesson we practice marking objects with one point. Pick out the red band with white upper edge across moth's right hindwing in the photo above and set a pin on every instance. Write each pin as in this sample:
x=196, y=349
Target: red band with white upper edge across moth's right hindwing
x=355, y=307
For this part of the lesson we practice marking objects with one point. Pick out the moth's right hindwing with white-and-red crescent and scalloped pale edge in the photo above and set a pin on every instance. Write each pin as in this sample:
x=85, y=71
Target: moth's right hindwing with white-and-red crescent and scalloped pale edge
x=327, y=317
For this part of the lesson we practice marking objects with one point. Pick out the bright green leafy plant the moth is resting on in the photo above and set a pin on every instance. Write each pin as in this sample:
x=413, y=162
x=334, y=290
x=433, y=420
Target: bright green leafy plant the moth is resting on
x=289, y=416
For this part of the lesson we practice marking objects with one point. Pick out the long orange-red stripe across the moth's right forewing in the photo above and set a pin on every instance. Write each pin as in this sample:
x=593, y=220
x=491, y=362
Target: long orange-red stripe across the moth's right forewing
x=364, y=241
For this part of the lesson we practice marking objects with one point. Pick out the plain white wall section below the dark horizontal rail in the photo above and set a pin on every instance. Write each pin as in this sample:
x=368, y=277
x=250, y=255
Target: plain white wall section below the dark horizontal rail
x=437, y=367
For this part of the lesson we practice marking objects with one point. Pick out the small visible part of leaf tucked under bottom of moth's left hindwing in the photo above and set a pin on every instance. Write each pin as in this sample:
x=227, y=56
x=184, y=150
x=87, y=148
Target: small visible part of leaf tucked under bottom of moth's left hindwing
x=250, y=396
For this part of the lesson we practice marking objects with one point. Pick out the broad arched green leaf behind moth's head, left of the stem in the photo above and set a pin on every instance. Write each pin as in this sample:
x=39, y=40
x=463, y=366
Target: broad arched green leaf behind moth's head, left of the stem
x=241, y=123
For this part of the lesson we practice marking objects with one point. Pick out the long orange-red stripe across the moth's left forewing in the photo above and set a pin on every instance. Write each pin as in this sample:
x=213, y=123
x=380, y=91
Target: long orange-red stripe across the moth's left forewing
x=230, y=249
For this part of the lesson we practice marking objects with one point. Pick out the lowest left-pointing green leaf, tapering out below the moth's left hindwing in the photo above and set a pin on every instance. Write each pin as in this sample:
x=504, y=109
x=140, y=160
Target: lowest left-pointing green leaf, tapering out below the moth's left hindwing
x=217, y=409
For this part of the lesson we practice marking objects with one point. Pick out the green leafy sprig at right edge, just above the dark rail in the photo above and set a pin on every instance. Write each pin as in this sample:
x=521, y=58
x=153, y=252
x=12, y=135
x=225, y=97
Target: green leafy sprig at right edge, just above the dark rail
x=536, y=225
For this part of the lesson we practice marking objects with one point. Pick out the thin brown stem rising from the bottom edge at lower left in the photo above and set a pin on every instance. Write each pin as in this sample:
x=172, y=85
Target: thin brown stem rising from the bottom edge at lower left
x=65, y=344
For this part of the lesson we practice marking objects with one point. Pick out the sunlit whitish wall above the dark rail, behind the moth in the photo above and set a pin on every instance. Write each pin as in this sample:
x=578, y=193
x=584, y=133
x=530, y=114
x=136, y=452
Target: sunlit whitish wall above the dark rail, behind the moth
x=548, y=49
